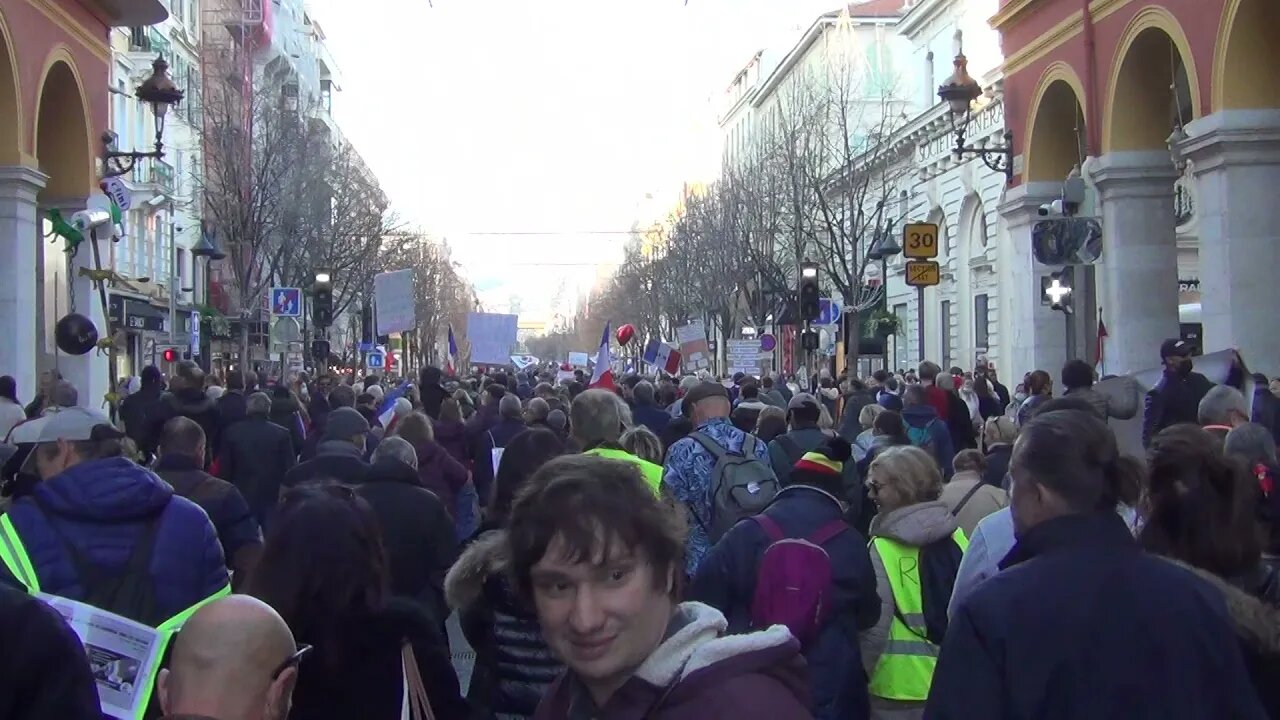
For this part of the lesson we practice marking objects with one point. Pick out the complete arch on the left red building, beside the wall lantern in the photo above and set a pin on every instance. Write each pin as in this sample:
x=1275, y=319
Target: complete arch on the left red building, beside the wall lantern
x=63, y=142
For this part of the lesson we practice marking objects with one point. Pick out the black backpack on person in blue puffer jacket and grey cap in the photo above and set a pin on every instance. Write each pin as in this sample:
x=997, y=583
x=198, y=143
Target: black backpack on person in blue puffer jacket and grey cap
x=129, y=591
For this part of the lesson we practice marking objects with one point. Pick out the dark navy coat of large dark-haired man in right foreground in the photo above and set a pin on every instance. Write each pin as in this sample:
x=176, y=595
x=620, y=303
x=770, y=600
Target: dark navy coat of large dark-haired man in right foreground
x=1082, y=625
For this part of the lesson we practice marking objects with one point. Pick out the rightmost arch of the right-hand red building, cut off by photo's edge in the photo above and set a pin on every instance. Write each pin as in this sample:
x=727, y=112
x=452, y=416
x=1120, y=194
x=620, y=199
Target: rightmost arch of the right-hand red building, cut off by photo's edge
x=1246, y=57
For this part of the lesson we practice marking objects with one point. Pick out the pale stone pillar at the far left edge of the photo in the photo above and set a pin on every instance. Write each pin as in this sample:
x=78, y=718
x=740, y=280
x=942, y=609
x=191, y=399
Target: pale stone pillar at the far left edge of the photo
x=20, y=241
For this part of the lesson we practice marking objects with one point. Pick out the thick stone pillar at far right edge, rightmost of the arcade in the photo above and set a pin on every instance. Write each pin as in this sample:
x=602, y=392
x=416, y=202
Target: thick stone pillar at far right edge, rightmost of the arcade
x=1236, y=161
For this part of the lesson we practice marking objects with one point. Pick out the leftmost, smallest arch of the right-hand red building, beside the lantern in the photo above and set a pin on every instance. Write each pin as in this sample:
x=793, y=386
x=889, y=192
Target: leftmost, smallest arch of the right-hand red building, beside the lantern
x=1055, y=126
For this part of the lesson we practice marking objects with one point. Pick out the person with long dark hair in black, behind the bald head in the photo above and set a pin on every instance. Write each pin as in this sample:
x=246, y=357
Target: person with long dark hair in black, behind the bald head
x=326, y=572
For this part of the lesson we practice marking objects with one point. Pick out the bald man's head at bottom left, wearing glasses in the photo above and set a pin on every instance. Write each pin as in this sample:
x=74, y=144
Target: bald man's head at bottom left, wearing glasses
x=223, y=662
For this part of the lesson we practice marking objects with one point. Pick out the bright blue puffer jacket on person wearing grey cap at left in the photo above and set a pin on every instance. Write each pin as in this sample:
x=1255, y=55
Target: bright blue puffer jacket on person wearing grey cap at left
x=102, y=507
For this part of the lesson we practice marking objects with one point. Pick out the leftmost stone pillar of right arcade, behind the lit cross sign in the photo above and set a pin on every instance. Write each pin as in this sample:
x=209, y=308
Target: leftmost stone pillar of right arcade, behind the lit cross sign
x=1032, y=336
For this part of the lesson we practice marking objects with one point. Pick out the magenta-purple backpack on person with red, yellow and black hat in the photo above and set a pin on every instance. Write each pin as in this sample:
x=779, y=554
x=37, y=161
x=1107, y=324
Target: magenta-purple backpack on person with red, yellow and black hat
x=793, y=584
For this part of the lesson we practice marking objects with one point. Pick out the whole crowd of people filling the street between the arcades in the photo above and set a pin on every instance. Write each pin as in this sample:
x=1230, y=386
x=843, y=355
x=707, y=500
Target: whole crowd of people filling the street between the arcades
x=913, y=545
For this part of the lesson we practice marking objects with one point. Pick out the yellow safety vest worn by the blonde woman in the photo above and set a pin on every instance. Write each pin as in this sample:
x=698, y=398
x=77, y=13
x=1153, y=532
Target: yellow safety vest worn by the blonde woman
x=906, y=669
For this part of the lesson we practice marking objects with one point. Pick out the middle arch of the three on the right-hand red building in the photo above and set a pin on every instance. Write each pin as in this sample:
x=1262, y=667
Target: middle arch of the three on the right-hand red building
x=1154, y=84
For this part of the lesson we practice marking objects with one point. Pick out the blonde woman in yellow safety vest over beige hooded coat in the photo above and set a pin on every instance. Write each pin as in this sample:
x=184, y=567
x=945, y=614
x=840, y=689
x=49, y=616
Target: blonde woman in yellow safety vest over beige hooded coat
x=916, y=550
